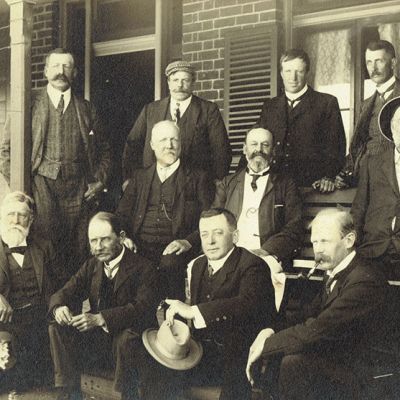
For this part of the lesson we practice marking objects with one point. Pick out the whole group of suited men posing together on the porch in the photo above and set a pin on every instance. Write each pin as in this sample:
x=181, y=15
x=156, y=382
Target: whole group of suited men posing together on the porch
x=177, y=200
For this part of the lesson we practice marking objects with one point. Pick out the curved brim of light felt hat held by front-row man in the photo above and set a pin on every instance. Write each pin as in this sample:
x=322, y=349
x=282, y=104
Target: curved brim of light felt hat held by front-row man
x=192, y=359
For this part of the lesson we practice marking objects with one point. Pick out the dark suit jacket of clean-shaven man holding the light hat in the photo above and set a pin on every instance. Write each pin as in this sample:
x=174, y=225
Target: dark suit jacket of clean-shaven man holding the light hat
x=244, y=297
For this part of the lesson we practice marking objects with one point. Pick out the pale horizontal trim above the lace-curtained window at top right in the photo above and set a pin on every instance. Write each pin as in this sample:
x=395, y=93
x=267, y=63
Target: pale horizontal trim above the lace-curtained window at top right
x=373, y=10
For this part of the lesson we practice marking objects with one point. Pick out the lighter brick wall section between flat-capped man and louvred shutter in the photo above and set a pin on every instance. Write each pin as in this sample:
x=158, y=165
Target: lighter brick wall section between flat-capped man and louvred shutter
x=205, y=24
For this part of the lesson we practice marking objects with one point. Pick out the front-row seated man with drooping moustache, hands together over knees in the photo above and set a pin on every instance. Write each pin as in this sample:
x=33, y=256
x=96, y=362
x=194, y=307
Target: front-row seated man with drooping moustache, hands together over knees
x=121, y=287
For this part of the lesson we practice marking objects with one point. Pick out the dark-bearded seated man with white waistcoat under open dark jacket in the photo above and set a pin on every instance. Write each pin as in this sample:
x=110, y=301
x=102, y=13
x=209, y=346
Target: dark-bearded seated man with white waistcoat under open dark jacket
x=267, y=205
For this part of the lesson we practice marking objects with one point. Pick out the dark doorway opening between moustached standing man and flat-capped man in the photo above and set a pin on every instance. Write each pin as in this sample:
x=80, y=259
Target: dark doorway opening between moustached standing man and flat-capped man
x=121, y=85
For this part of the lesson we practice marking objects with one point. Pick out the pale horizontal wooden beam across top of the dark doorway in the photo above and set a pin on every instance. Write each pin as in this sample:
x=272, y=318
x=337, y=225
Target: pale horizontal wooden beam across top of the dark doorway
x=128, y=45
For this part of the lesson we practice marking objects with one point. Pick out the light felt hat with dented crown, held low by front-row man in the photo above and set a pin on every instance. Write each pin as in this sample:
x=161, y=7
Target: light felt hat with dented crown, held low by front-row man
x=172, y=346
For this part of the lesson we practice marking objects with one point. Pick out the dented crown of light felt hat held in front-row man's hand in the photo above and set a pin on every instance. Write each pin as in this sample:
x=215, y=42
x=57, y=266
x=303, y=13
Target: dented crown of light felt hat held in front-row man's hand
x=173, y=341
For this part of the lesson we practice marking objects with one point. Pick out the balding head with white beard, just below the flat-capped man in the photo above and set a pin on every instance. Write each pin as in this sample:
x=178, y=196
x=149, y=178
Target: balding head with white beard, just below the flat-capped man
x=166, y=142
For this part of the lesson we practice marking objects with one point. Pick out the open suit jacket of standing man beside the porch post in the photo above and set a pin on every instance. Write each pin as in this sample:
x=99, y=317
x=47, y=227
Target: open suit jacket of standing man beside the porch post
x=95, y=143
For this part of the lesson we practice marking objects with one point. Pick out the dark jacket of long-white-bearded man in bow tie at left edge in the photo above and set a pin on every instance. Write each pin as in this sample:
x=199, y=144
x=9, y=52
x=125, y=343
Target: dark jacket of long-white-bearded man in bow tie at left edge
x=44, y=264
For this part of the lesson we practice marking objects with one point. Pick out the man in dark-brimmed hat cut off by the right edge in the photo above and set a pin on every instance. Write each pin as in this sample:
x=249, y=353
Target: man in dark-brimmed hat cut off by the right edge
x=376, y=207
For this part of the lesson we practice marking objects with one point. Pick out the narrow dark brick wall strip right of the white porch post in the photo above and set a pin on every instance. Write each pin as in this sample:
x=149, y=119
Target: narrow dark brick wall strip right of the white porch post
x=44, y=37
